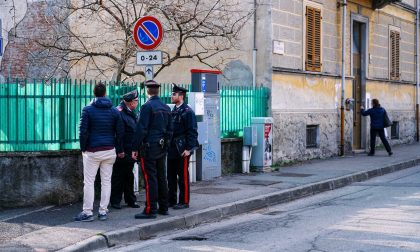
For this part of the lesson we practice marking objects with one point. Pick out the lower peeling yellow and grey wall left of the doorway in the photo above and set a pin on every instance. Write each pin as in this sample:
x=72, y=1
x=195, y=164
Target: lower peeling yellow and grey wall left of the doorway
x=307, y=100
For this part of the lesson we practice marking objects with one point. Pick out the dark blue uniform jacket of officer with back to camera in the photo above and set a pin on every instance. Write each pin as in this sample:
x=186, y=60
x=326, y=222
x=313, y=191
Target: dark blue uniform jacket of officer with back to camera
x=154, y=124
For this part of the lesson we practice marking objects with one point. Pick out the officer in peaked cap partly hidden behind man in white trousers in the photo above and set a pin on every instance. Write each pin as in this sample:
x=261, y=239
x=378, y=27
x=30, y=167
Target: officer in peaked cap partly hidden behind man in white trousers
x=122, y=181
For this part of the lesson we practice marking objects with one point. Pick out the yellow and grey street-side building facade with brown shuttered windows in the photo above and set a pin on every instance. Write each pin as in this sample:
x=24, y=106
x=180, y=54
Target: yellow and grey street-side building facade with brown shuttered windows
x=306, y=77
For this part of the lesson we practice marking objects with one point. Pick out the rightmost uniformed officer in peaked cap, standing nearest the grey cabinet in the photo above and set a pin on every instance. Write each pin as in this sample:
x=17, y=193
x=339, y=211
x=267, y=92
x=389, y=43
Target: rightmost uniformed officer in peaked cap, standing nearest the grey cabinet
x=183, y=144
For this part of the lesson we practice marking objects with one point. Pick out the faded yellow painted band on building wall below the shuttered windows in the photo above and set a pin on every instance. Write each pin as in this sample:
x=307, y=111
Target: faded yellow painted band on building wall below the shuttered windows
x=293, y=92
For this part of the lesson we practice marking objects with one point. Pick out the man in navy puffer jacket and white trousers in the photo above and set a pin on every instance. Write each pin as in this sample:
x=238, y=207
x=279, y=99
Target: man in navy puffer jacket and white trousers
x=100, y=133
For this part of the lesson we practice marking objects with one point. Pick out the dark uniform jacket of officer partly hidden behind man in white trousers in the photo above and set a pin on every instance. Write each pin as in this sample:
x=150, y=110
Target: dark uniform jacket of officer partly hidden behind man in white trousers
x=129, y=119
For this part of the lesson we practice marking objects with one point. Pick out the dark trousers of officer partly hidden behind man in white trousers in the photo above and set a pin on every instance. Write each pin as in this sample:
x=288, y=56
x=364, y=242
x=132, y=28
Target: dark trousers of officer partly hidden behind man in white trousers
x=122, y=181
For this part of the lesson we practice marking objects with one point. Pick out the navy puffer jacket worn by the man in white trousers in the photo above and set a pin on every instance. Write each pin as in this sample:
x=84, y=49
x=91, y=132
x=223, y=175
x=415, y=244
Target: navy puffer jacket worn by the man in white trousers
x=100, y=126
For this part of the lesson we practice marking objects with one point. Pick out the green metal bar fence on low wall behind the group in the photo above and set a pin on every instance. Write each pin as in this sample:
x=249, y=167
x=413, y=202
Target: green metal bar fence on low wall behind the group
x=39, y=116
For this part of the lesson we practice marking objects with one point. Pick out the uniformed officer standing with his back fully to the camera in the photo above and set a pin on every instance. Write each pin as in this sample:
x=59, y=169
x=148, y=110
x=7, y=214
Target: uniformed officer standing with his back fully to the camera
x=153, y=132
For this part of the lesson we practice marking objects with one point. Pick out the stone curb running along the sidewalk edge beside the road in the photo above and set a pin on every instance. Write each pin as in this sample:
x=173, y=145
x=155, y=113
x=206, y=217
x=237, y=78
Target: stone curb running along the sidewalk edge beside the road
x=220, y=212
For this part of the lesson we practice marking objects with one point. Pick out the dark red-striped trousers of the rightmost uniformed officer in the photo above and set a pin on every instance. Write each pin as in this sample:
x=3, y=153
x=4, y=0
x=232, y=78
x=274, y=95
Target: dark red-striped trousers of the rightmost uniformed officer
x=178, y=175
